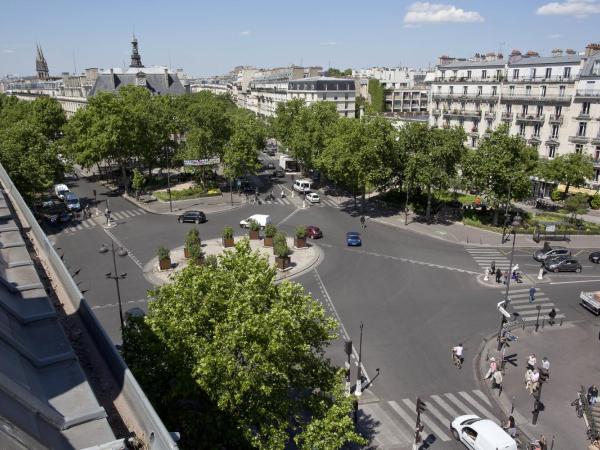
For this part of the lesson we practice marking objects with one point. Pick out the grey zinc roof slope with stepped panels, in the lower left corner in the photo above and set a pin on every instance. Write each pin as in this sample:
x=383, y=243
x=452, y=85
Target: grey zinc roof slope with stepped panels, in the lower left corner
x=45, y=398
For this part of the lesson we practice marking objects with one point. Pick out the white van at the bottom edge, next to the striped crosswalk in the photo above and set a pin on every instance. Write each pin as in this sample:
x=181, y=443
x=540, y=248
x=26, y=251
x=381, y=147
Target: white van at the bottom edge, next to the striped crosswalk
x=481, y=434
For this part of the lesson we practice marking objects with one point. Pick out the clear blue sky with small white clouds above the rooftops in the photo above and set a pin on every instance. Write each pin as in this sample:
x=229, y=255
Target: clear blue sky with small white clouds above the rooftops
x=211, y=37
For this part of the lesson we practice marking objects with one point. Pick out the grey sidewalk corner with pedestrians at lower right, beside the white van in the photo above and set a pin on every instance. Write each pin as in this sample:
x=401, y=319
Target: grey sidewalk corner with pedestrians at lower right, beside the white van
x=572, y=350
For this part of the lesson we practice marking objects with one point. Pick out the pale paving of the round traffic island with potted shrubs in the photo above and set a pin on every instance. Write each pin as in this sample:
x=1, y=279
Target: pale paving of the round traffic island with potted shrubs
x=301, y=259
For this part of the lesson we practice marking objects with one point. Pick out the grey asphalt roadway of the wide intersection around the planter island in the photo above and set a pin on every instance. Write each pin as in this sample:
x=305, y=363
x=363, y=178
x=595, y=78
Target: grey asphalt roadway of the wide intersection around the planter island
x=416, y=296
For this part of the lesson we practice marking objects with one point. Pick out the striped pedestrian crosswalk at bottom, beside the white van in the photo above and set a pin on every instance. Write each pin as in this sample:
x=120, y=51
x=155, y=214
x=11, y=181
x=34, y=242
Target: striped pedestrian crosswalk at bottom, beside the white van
x=397, y=419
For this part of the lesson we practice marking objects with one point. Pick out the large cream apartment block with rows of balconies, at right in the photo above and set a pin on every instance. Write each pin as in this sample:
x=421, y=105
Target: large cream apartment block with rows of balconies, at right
x=550, y=101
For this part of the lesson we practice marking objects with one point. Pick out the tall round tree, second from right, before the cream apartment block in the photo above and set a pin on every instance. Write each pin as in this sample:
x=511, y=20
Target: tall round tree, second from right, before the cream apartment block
x=500, y=165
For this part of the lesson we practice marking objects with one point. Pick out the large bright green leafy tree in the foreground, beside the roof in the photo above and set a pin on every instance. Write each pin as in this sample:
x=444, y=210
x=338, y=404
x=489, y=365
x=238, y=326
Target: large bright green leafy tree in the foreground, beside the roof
x=243, y=356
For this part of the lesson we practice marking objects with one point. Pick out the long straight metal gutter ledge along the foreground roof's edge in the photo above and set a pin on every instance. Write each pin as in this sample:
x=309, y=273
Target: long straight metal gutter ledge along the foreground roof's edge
x=156, y=435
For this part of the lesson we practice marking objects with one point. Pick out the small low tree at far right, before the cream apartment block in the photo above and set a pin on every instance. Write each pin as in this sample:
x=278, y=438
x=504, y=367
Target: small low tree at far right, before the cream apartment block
x=571, y=170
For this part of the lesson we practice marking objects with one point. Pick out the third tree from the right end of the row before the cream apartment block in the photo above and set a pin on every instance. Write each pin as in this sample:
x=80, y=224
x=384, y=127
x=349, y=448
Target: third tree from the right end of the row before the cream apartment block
x=433, y=156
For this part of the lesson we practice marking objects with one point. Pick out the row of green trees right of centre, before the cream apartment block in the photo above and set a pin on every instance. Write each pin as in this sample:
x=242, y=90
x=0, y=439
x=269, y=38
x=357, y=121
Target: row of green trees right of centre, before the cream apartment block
x=370, y=153
